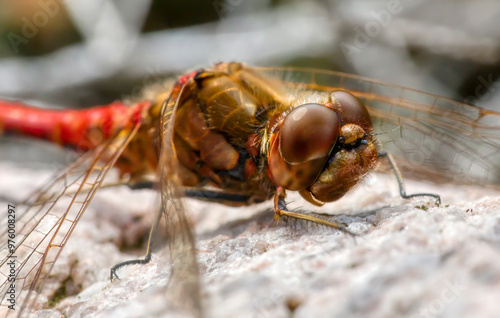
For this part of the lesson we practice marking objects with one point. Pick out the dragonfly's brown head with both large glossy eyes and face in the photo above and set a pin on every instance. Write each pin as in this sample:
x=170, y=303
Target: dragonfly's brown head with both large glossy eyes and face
x=322, y=150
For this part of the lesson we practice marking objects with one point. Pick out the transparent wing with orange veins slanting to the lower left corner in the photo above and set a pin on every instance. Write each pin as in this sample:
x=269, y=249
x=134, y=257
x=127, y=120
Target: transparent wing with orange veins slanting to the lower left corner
x=49, y=220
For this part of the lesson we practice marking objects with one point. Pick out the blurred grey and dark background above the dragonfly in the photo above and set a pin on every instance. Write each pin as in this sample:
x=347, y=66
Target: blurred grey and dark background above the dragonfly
x=79, y=53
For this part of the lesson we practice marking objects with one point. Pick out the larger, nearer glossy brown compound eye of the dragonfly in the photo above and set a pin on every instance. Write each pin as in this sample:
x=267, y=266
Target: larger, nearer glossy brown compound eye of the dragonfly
x=308, y=132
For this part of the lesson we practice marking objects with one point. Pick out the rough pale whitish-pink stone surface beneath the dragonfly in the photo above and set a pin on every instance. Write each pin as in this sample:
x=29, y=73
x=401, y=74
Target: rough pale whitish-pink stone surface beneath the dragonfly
x=405, y=262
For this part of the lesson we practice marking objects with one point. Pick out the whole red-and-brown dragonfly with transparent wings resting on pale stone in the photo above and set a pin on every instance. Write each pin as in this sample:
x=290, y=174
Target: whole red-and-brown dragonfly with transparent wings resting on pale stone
x=237, y=135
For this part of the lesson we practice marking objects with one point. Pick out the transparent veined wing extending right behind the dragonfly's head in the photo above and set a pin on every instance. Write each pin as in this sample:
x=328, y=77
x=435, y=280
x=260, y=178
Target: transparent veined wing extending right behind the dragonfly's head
x=431, y=137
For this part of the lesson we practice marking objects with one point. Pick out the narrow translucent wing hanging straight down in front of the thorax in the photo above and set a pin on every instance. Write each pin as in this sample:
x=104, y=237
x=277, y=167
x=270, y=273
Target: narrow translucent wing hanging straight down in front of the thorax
x=183, y=291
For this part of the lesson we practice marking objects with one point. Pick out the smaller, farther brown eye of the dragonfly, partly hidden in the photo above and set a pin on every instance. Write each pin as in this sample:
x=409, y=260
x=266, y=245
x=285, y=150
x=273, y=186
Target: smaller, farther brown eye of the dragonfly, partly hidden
x=351, y=110
